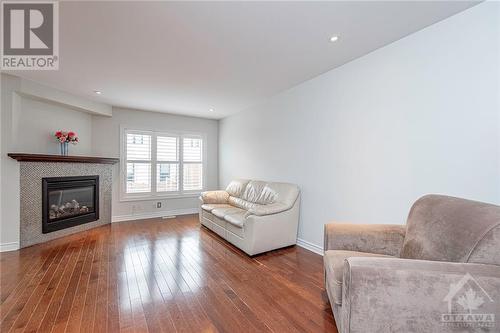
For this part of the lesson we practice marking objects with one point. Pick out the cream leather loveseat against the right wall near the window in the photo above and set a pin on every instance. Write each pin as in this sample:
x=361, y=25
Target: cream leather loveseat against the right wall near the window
x=255, y=216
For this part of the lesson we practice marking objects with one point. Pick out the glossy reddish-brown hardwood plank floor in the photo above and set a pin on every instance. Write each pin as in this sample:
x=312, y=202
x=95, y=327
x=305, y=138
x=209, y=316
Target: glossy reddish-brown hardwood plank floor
x=160, y=276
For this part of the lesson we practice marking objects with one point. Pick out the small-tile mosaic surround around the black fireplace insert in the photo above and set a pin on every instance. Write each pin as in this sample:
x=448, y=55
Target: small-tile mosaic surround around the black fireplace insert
x=31, y=175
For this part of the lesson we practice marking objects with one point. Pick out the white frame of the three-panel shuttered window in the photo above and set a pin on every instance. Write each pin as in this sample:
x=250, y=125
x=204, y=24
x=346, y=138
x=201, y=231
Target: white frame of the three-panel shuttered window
x=154, y=194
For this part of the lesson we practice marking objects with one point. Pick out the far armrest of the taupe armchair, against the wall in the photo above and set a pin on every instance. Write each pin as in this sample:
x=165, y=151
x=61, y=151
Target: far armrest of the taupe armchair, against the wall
x=373, y=238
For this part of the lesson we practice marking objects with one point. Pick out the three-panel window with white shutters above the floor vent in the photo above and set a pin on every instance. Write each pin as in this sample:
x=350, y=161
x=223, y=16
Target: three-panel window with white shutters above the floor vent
x=159, y=164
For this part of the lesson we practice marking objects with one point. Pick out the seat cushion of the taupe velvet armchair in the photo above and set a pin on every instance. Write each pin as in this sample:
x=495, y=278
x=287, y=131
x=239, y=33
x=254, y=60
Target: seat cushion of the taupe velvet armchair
x=334, y=270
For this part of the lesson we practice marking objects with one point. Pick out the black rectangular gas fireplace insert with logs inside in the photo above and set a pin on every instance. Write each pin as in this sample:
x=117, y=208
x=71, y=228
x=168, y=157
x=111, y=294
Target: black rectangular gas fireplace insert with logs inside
x=69, y=201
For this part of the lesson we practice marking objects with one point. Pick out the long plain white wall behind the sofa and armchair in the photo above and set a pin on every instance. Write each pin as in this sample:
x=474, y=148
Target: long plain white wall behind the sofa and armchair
x=365, y=140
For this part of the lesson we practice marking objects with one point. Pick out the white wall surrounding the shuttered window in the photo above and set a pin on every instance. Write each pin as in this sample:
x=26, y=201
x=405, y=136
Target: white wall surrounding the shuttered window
x=106, y=142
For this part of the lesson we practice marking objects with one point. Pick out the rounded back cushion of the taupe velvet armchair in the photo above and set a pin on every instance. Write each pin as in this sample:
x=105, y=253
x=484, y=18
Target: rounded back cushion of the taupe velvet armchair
x=443, y=228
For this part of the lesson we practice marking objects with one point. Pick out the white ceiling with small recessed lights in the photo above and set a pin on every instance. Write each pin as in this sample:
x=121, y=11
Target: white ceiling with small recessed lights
x=188, y=57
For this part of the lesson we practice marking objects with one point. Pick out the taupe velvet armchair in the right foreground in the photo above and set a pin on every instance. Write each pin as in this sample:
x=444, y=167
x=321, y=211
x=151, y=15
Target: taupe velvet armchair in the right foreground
x=439, y=273
